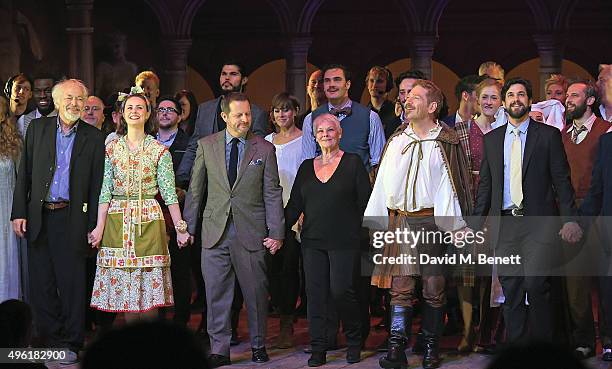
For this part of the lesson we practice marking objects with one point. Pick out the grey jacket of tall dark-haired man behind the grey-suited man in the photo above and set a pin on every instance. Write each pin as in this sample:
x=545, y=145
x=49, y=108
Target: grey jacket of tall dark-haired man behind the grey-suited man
x=206, y=124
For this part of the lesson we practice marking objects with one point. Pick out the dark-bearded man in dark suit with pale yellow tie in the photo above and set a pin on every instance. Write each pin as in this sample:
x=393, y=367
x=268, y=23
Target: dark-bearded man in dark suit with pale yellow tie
x=524, y=174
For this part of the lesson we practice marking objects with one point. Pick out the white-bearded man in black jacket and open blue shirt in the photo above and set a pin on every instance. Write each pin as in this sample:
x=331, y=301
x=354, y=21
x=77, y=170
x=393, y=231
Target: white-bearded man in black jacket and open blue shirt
x=55, y=206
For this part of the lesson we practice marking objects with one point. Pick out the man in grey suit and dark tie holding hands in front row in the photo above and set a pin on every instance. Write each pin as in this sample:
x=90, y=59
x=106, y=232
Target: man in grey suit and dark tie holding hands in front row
x=235, y=178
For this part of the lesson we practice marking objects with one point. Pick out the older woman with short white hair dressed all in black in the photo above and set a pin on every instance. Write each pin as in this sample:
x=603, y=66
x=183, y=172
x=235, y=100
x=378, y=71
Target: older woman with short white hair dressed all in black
x=332, y=191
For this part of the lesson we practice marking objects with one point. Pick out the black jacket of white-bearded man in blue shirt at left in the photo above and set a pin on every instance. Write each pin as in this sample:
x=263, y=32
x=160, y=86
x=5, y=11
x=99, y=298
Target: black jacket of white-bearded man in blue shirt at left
x=36, y=170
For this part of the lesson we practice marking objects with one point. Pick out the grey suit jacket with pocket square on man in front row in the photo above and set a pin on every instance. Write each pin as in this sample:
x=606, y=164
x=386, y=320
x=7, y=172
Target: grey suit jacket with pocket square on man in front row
x=255, y=201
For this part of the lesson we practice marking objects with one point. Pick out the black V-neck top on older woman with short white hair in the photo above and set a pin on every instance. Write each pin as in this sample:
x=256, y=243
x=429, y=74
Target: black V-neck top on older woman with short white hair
x=333, y=211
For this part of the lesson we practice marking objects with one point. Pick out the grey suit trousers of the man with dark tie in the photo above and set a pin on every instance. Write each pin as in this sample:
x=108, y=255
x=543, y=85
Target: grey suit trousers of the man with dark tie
x=221, y=264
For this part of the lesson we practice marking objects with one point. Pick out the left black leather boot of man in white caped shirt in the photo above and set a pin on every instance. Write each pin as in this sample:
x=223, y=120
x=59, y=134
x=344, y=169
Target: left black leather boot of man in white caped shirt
x=401, y=324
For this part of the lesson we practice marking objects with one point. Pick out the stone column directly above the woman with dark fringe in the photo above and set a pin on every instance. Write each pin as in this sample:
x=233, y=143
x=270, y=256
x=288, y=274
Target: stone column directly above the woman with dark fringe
x=296, y=56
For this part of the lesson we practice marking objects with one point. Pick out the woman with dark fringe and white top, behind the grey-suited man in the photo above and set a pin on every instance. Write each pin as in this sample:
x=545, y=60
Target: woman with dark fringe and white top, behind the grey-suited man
x=283, y=266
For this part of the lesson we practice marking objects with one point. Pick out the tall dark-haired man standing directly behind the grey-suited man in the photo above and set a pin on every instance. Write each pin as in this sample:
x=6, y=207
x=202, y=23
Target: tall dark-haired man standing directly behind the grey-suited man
x=209, y=121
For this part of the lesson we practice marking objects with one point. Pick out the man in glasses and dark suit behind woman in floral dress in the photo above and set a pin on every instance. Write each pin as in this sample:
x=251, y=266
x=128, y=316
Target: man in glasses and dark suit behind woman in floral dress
x=169, y=116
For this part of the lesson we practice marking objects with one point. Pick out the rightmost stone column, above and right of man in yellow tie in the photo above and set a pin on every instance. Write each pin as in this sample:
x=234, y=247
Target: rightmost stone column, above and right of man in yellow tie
x=550, y=49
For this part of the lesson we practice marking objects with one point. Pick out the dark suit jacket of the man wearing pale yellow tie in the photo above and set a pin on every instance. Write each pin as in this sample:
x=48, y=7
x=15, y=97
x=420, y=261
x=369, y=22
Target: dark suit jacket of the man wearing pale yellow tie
x=547, y=187
